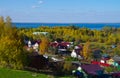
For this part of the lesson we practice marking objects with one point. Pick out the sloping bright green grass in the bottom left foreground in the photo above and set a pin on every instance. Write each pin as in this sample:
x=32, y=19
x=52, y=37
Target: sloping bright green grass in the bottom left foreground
x=9, y=73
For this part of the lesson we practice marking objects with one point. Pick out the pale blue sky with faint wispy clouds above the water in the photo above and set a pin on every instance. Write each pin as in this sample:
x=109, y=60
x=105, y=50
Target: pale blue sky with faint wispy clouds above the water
x=61, y=11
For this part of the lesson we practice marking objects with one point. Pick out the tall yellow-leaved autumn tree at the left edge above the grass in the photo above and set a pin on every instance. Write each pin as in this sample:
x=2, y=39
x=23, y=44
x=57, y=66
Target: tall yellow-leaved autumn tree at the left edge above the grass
x=11, y=48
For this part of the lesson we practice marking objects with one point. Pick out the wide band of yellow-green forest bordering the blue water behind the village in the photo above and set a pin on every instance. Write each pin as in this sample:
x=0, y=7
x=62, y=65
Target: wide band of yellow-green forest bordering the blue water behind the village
x=108, y=35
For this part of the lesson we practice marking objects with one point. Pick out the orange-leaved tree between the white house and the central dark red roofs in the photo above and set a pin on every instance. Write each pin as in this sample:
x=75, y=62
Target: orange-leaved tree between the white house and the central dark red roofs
x=44, y=45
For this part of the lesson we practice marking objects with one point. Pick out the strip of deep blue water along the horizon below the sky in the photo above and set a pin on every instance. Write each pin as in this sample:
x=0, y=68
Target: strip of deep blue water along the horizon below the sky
x=87, y=25
